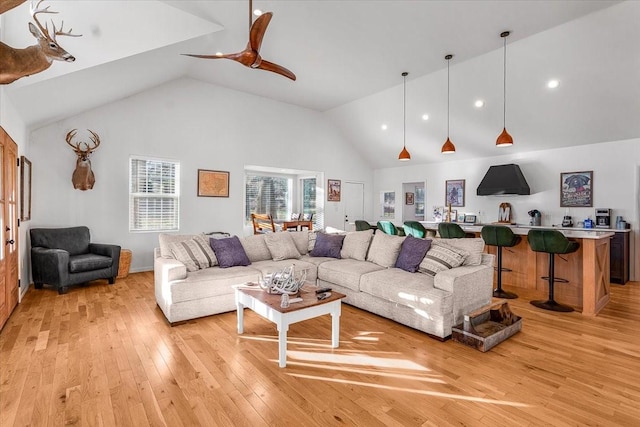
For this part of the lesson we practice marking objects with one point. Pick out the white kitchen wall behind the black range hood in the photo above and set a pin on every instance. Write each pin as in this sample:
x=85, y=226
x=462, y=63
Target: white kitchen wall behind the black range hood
x=614, y=166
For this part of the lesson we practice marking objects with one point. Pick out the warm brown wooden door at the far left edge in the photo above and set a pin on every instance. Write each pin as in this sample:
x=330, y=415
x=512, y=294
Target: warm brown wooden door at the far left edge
x=9, y=225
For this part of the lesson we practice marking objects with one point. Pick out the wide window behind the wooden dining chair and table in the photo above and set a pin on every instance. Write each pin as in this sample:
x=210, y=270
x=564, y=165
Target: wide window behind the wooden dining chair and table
x=268, y=195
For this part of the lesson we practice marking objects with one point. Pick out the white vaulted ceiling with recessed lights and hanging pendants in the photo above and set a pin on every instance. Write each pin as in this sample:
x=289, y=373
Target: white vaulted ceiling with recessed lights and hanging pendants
x=348, y=57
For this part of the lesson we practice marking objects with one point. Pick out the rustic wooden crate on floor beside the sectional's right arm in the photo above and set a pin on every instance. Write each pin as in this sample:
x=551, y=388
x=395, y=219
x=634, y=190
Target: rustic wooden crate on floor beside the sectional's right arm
x=487, y=327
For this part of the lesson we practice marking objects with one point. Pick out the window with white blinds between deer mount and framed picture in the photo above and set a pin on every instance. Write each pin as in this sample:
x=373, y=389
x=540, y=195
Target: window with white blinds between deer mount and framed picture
x=154, y=194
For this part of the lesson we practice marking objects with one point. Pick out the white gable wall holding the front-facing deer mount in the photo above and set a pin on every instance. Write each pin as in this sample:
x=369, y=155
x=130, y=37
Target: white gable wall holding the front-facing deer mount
x=204, y=127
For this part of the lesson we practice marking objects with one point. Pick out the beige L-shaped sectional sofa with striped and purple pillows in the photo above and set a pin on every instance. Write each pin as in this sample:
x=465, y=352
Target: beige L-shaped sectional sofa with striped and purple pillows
x=194, y=275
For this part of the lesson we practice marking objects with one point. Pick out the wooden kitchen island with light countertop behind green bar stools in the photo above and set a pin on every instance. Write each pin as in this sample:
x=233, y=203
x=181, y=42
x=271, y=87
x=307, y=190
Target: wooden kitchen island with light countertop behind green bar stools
x=587, y=269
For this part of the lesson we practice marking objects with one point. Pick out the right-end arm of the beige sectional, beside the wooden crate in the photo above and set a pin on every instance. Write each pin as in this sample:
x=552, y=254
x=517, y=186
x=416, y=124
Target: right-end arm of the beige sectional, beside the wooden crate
x=470, y=286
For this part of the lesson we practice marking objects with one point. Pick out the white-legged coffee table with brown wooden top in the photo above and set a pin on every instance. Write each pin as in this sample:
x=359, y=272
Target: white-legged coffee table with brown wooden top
x=268, y=306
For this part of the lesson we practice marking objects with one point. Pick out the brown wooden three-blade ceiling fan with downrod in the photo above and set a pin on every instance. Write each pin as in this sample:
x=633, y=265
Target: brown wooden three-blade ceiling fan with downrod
x=250, y=56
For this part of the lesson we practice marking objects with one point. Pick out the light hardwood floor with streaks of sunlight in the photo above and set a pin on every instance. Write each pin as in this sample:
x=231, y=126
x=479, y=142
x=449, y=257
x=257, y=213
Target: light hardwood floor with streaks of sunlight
x=104, y=355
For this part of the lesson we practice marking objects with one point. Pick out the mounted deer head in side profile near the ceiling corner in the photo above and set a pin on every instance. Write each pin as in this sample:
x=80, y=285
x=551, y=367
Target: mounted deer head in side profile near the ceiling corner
x=17, y=63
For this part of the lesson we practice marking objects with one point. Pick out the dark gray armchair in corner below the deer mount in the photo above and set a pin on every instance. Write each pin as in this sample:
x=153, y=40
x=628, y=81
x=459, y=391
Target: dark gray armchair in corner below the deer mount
x=62, y=257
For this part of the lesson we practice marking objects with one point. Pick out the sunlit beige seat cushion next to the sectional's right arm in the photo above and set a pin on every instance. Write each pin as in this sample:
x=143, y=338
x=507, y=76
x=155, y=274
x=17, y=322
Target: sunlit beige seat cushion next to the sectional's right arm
x=408, y=289
